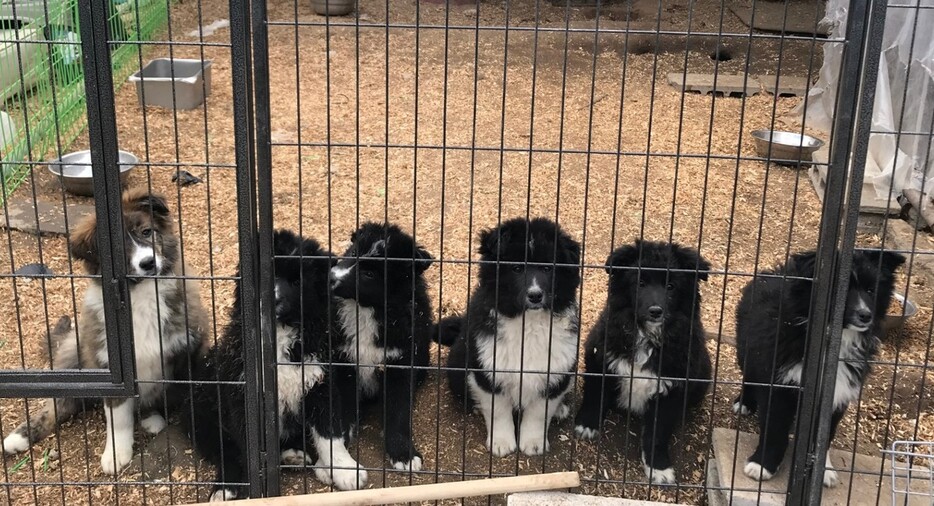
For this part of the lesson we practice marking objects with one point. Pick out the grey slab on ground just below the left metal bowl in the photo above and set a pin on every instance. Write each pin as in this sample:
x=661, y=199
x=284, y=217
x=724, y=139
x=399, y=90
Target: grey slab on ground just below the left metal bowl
x=21, y=215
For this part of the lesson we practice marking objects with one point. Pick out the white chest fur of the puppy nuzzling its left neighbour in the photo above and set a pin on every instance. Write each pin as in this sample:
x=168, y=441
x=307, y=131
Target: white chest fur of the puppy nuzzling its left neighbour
x=361, y=331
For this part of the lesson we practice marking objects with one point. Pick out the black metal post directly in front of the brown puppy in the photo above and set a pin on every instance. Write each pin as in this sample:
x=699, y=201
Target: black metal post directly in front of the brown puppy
x=102, y=137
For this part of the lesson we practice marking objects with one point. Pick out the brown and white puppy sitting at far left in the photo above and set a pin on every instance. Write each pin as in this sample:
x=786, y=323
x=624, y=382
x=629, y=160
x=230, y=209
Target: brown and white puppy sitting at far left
x=169, y=324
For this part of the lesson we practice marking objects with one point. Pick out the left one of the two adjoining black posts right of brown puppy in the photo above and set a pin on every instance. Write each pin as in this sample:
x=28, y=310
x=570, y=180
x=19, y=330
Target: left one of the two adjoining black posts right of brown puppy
x=246, y=225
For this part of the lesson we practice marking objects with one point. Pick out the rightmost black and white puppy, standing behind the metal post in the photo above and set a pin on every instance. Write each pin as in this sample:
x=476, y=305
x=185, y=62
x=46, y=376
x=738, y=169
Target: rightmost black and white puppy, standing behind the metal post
x=771, y=335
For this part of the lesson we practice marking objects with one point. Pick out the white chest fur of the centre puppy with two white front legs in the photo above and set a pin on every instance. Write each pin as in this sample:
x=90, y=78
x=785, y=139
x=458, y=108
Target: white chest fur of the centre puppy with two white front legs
x=543, y=347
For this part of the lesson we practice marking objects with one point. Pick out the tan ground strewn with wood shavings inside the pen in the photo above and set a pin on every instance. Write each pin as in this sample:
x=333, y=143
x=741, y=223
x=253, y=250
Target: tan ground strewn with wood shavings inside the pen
x=581, y=128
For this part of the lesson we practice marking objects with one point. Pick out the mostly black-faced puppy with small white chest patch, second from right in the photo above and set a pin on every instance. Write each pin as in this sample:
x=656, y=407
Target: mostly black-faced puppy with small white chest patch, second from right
x=646, y=353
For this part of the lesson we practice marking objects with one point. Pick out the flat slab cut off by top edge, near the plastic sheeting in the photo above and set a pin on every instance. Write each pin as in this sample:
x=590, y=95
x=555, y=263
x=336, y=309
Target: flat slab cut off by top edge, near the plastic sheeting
x=784, y=17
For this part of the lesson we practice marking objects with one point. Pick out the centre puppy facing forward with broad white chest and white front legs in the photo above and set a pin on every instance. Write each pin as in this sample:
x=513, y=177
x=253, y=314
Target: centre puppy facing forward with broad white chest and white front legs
x=518, y=345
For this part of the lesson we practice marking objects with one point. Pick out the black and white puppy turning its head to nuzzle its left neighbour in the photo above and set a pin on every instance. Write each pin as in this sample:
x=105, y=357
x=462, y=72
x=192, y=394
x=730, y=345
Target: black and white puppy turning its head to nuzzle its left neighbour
x=383, y=315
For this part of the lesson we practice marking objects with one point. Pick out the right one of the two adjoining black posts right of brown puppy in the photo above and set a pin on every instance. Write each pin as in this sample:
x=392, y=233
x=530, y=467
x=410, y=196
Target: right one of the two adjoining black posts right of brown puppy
x=265, y=241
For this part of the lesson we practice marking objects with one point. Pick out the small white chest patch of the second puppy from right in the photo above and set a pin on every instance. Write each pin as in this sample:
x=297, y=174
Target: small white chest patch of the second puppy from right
x=638, y=384
